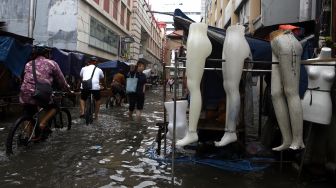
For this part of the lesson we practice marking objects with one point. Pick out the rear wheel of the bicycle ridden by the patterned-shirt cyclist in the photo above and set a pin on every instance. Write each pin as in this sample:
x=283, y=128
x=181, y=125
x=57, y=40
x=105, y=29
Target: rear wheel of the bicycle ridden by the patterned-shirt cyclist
x=20, y=134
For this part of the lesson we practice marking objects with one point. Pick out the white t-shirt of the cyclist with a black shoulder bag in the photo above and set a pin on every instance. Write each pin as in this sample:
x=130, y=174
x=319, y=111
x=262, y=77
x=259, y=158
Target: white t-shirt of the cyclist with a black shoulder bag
x=86, y=73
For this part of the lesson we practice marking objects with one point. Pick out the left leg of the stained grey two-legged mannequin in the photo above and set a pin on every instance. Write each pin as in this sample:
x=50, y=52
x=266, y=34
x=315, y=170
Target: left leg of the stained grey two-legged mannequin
x=280, y=108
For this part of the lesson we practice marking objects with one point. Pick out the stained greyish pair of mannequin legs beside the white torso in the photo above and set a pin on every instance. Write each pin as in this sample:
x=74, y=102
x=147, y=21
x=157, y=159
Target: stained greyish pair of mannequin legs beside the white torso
x=285, y=88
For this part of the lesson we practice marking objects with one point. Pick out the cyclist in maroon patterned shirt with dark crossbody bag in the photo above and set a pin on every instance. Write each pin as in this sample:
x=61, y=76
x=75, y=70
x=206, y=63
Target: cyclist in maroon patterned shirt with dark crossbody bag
x=47, y=71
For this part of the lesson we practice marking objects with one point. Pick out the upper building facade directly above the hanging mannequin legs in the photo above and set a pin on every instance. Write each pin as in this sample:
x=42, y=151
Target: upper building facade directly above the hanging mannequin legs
x=256, y=14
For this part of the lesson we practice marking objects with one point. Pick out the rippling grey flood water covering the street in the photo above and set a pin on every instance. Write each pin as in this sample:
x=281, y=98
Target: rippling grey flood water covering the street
x=113, y=152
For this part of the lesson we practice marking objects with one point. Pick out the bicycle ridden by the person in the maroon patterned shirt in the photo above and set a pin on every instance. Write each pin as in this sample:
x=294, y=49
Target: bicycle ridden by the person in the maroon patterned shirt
x=26, y=127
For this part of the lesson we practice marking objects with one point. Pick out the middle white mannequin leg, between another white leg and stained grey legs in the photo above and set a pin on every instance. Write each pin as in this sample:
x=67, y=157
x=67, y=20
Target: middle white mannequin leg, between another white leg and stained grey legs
x=235, y=51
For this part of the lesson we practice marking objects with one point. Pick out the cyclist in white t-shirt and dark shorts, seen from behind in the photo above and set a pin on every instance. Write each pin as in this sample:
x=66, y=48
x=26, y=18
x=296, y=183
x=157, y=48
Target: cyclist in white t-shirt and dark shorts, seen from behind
x=85, y=74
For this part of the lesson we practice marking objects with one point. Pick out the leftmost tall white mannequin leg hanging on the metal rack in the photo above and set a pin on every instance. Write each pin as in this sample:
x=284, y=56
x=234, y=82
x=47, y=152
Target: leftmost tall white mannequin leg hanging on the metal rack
x=199, y=48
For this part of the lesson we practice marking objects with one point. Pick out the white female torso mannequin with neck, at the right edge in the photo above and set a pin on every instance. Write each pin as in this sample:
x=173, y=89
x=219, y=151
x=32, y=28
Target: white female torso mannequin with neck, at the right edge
x=316, y=104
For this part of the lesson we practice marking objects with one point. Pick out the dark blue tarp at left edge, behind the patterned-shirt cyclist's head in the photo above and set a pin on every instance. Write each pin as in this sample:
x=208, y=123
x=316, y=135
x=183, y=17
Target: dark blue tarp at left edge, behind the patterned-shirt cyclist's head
x=13, y=54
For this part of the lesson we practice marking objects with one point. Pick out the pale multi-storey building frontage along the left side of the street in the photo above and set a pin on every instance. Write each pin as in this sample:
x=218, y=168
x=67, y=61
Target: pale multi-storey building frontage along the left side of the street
x=101, y=28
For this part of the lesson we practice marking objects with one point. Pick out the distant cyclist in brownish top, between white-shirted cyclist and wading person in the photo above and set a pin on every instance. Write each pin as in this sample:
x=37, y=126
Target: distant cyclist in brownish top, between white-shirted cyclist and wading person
x=118, y=86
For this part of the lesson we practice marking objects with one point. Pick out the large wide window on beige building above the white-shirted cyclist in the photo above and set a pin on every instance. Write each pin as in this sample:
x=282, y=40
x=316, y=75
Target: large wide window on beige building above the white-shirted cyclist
x=102, y=37
